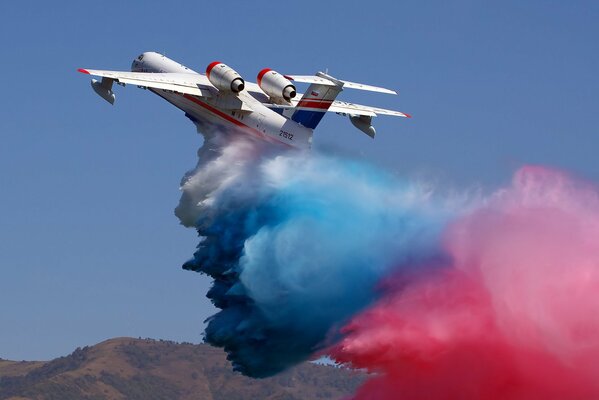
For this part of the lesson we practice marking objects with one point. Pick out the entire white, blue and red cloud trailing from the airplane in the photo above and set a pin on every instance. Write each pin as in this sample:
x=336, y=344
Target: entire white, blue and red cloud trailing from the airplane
x=439, y=298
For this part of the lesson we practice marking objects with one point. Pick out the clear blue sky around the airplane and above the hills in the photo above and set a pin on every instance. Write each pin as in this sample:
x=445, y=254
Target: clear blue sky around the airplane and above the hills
x=89, y=245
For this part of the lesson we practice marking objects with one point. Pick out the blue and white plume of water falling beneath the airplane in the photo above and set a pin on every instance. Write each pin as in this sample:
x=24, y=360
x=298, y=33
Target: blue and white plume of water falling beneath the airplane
x=296, y=244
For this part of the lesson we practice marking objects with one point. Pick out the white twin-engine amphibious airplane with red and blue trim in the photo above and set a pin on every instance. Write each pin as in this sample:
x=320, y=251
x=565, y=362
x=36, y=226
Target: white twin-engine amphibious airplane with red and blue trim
x=270, y=109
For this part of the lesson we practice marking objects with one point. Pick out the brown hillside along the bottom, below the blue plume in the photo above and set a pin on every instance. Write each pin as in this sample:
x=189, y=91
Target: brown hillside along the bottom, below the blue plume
x=126, y=368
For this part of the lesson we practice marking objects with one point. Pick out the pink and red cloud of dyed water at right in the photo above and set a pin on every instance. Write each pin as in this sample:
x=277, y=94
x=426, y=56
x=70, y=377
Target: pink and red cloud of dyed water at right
x=514, y=315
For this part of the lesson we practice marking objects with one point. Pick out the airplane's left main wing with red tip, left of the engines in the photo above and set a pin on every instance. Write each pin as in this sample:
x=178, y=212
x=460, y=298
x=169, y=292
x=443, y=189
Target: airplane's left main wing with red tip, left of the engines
x=194, y=84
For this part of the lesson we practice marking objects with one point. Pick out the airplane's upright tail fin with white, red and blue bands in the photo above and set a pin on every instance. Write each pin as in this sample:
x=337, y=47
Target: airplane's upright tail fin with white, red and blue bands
x=316, y=101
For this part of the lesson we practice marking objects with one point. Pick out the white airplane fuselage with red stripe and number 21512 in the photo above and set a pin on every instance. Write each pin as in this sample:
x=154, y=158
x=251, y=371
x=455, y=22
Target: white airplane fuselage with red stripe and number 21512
x=215, y=113
